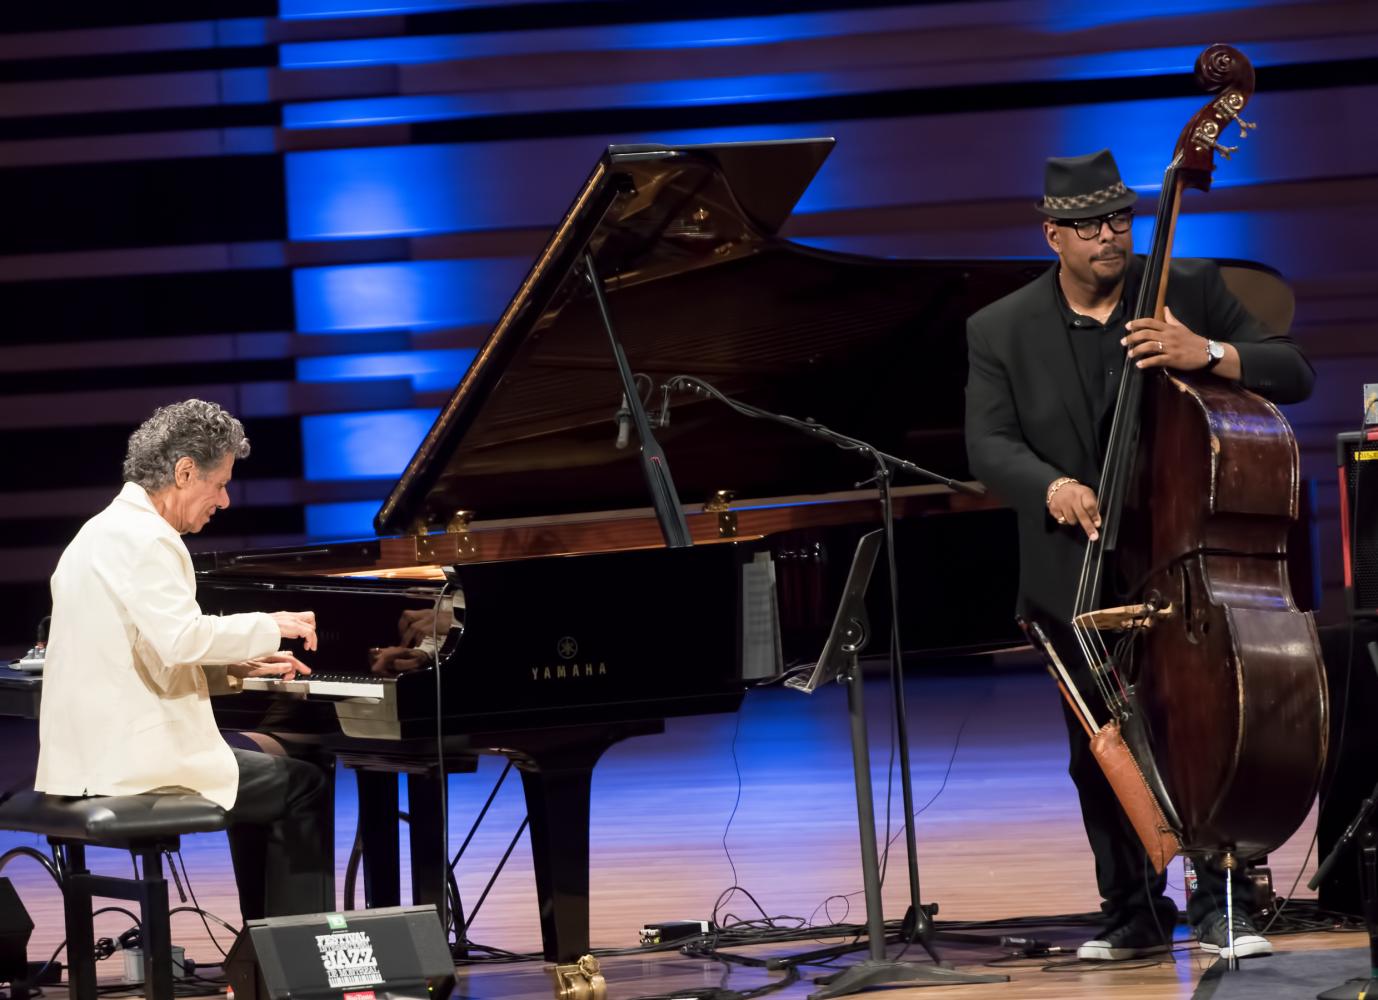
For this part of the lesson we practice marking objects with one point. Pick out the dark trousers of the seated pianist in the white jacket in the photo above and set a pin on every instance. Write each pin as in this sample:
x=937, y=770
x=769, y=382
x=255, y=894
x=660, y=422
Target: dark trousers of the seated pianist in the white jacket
x=278, y=831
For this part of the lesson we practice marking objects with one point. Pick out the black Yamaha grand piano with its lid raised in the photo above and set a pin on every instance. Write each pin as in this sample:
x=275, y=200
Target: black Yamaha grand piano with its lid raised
x=575, y=625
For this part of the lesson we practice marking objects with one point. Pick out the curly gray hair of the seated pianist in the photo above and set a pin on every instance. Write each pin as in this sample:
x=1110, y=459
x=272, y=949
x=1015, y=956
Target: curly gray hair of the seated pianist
x=195, y=429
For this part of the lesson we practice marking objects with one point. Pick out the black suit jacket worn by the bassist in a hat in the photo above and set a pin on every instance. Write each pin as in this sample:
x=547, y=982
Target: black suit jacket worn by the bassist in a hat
x=1029, y=421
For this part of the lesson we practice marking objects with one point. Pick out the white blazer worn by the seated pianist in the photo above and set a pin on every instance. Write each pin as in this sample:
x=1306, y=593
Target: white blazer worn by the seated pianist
x=126, y=694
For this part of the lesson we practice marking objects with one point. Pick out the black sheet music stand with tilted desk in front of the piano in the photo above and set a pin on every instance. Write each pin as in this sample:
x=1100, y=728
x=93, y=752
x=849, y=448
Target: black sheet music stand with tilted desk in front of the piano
x=841, y=662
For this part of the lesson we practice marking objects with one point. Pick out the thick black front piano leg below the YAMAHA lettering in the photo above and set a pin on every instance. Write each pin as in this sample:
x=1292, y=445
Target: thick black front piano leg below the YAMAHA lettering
x=557, y=773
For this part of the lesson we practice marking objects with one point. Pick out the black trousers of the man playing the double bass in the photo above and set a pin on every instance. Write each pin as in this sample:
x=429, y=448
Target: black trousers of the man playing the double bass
x=1131, y=890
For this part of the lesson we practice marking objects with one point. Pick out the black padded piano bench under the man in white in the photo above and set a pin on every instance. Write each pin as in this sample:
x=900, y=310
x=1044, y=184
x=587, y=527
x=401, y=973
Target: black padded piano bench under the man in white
x=143, y=824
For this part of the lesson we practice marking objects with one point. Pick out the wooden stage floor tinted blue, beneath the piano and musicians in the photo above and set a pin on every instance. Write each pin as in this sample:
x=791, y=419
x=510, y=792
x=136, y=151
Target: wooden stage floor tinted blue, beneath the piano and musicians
x=1000, y=840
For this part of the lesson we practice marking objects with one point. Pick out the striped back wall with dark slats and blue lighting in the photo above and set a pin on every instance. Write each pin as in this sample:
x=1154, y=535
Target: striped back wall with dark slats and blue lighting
x=312, y=210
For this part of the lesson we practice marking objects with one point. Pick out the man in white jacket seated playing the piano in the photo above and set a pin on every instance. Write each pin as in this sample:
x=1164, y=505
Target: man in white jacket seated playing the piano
x=133, y=663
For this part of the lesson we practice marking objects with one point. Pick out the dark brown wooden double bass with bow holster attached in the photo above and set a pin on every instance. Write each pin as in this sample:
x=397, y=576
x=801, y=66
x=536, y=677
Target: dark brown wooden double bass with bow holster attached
x=1213, y=677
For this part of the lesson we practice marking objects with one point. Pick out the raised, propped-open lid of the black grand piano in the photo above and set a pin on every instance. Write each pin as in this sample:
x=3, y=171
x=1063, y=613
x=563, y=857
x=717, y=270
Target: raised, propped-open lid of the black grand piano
x=699, y=283
